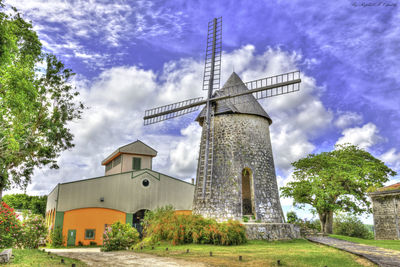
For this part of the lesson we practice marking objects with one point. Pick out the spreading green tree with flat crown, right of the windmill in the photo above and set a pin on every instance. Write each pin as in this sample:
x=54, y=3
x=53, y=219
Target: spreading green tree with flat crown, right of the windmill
x=336, y=181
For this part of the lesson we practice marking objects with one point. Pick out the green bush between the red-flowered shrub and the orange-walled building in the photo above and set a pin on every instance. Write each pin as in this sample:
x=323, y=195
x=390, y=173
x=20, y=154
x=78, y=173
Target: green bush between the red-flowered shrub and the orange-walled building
x=33, y=232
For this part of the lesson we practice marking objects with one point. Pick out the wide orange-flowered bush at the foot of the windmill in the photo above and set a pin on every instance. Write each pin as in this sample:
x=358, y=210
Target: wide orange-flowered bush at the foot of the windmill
x=164, y=224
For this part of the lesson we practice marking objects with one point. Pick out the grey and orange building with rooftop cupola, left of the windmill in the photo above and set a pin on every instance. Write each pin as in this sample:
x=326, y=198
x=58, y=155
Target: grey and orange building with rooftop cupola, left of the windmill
x=84, y=208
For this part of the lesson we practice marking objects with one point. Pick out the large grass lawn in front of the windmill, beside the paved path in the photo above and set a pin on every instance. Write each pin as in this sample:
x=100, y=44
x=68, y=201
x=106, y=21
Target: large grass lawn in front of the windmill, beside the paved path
x=261, y=253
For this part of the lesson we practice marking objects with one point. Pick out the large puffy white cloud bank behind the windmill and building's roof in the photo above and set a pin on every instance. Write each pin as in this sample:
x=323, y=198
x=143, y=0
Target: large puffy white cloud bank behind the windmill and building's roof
x=118, y=97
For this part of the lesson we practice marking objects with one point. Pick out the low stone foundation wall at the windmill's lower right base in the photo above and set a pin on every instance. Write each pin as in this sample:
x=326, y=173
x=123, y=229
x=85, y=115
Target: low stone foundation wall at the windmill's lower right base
x=272, y=231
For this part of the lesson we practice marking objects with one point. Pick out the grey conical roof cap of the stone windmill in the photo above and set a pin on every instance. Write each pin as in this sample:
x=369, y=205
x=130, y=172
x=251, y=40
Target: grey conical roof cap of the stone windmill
x=245, y=104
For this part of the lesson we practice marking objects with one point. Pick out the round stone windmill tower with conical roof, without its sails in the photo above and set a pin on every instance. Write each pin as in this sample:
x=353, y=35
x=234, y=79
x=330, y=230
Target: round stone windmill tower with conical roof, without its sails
x=243, y=175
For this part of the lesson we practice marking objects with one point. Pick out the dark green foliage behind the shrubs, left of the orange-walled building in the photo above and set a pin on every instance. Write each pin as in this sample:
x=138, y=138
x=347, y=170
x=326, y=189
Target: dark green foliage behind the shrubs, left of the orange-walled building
x=36, y=204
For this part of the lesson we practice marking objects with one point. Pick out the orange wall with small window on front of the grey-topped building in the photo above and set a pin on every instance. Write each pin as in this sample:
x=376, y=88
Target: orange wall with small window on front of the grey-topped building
x=90, y=218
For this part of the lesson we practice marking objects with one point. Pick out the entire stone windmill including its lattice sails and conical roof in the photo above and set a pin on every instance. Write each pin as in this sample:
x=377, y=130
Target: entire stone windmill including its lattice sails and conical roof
x=235, y=174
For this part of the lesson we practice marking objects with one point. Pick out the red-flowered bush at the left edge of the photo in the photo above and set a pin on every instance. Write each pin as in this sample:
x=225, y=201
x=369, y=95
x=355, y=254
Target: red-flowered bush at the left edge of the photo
x=9, y=226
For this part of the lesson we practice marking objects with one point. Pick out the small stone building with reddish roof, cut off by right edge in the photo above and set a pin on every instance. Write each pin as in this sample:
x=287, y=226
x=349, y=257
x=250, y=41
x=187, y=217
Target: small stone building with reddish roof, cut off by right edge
x=386, y=211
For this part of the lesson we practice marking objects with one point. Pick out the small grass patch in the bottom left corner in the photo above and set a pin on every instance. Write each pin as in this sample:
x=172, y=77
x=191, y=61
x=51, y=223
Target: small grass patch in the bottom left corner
x=34, y=257
